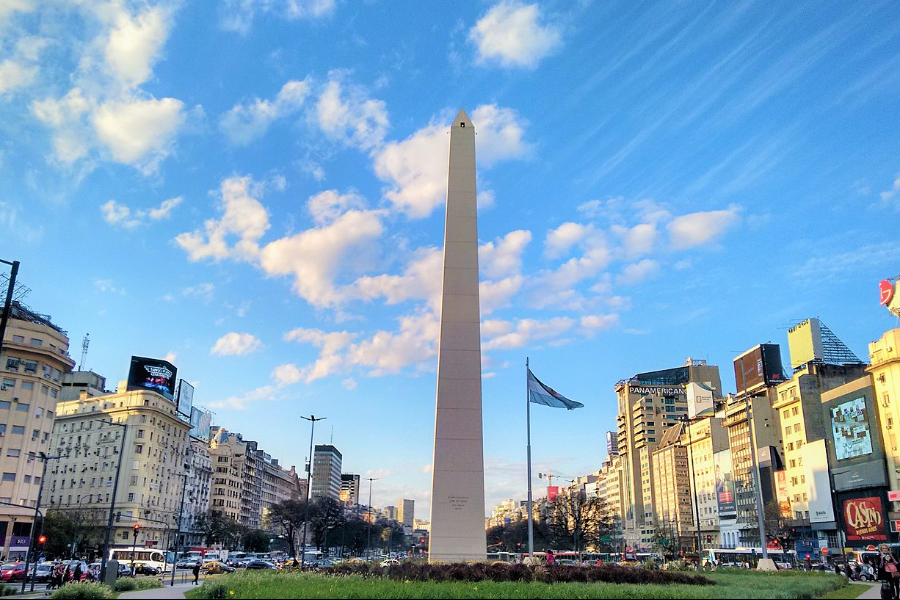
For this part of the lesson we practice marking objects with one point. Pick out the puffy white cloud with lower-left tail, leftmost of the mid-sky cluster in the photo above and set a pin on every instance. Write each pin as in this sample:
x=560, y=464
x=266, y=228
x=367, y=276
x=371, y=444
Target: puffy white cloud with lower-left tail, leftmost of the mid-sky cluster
x=244, y=217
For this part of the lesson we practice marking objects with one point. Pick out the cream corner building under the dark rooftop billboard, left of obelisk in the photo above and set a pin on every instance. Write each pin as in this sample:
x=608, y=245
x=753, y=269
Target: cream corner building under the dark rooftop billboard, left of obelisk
x=142, y=461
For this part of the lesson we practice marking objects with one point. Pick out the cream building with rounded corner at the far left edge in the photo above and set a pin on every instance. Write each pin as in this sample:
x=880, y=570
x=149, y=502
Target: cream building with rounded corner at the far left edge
x=34, y=358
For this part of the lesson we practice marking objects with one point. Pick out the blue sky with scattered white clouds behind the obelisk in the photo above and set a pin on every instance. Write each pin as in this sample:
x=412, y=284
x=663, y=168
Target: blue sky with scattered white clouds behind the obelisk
x=254, y=190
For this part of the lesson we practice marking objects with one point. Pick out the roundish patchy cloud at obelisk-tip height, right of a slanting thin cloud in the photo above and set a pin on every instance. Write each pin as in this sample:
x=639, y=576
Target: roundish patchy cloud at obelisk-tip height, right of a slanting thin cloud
x=345, y=113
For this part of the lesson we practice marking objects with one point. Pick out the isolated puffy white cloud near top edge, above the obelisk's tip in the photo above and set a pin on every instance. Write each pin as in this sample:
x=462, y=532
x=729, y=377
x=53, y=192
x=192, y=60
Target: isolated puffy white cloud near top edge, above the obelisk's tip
x=511, y=34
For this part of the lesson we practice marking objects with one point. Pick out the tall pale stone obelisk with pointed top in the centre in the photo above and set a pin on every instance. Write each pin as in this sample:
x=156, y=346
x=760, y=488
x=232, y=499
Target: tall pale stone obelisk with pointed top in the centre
x=457, y=479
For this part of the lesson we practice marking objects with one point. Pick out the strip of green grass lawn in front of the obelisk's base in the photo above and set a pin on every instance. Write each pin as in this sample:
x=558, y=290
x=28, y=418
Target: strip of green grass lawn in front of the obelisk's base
x=736, y=584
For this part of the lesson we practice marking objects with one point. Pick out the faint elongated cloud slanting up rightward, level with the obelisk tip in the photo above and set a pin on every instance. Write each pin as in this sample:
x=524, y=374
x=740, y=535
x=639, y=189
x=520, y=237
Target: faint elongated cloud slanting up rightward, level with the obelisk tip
x=245, y=123
